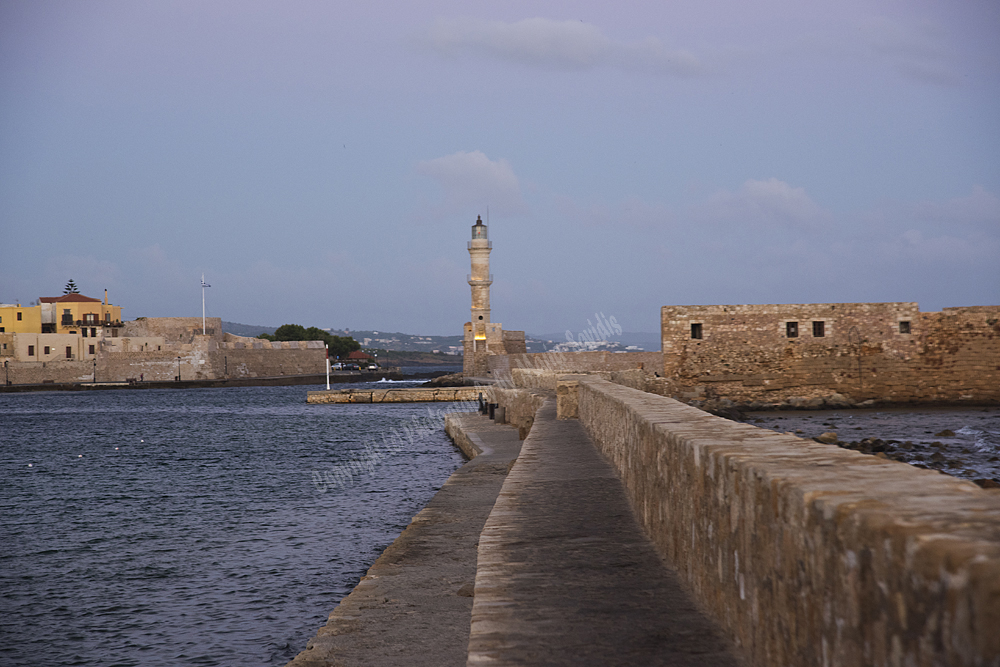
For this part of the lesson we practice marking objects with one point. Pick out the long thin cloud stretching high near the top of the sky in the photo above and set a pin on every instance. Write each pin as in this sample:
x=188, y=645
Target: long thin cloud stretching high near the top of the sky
x=564, y=45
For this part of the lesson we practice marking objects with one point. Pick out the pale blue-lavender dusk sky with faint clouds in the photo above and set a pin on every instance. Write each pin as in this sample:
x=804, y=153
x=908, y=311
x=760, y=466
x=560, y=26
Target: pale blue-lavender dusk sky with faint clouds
x=321, y=163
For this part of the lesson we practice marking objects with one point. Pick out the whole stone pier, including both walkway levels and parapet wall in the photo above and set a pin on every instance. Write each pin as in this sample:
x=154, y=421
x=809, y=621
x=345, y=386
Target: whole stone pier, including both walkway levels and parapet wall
x=628, y=528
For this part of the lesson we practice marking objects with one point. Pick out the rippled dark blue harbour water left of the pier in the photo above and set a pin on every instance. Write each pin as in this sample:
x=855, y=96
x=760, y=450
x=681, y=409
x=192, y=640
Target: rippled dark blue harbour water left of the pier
x=183, y=527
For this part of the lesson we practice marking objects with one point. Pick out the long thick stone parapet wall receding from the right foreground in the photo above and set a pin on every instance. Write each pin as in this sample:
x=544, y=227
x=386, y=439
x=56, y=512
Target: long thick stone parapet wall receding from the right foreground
x=808, y=554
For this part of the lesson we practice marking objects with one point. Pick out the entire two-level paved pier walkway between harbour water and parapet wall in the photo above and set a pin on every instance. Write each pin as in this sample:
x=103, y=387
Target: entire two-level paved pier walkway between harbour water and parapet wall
x=561, y=571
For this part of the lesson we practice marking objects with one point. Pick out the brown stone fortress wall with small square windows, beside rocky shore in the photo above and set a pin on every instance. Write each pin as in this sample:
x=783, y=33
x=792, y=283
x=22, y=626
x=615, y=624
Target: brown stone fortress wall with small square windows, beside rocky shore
x=745, y=354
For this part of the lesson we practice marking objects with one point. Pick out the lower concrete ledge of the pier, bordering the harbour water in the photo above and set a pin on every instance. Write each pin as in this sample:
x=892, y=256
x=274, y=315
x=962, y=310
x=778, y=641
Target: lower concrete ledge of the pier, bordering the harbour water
x=414, y=605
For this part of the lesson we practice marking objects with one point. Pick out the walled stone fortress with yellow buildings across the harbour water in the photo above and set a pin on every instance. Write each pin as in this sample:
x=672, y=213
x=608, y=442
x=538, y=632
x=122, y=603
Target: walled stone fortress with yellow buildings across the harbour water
x=90, y=344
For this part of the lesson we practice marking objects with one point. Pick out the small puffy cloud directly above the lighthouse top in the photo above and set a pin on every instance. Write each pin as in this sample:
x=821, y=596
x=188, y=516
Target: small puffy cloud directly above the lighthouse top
x=473, y=180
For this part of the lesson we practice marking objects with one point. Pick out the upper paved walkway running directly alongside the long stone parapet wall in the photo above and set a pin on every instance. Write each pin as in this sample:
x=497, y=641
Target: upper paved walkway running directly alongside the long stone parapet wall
x=566, y=575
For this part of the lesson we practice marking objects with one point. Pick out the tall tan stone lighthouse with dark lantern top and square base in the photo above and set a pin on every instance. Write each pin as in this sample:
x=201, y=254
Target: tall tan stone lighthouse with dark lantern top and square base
x=483, y=337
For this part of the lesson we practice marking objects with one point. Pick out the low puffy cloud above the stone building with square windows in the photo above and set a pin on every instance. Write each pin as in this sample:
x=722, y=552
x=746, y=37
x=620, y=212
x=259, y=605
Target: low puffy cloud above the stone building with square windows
x=771, y=203
